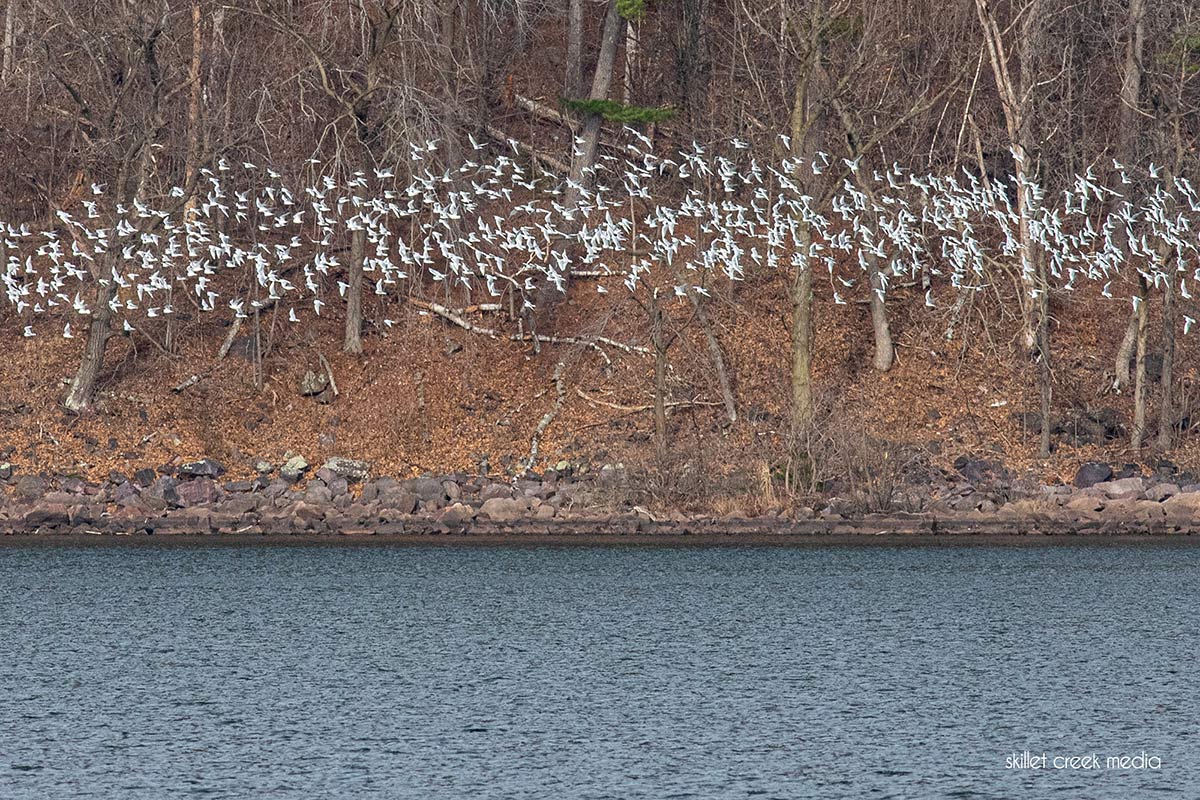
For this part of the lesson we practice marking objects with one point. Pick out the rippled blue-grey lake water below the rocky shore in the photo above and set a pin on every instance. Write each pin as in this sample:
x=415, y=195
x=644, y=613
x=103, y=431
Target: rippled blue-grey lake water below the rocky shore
x=621, y=672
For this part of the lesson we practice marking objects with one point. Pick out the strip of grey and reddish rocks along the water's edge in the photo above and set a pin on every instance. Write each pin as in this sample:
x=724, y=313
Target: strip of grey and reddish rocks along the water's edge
x=343, y=500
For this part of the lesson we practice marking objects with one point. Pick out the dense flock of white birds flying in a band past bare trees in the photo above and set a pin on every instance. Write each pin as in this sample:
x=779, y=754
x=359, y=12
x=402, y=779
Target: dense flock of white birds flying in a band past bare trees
x=496, y=224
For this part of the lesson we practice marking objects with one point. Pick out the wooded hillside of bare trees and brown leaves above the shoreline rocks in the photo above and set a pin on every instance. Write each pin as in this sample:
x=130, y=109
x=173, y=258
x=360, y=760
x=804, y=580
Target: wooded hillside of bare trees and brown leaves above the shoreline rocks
x=742, y=248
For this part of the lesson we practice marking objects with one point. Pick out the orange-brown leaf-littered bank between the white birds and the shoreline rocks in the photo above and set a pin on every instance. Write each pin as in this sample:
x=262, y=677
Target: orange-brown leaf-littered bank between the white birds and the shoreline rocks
x=430, y=398
